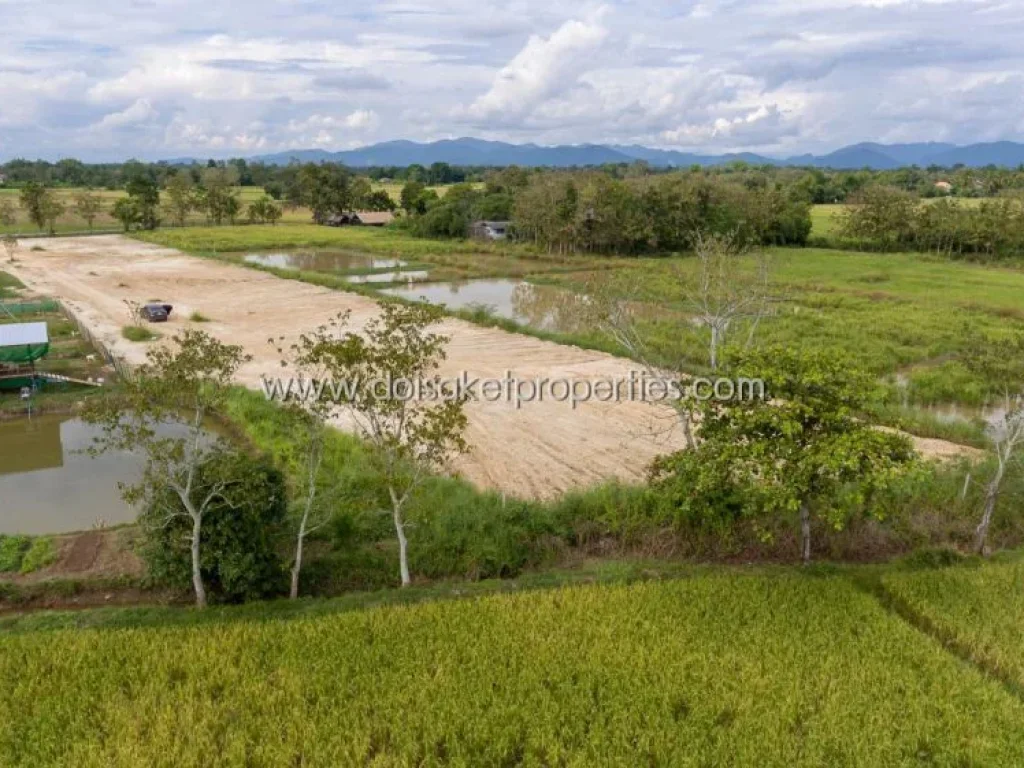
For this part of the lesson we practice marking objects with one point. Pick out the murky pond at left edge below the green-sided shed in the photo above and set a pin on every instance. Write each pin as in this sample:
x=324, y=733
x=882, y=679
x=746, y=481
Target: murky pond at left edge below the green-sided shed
x=48, y=486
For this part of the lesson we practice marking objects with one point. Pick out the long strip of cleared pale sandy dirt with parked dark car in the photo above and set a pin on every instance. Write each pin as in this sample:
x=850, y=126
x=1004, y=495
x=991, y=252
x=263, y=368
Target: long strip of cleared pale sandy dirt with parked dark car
x=538, y=451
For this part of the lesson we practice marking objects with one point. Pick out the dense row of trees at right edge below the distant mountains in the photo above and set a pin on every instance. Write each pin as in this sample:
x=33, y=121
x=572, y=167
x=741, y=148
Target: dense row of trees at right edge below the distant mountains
x=888, y=219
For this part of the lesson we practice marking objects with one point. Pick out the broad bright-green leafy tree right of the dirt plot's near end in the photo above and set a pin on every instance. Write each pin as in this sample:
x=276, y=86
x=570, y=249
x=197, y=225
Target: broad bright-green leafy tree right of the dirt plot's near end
x=801, y=452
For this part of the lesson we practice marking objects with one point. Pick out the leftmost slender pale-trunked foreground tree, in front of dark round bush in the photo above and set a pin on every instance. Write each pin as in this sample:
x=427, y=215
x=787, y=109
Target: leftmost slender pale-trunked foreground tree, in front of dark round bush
x=187, y=380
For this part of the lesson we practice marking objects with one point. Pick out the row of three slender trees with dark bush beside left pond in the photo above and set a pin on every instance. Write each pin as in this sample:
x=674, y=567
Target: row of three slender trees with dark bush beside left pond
x=218, y=519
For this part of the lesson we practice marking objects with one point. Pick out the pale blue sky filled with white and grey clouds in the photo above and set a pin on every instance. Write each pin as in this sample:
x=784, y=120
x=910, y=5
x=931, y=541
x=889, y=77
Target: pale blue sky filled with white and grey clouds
x=161, y=79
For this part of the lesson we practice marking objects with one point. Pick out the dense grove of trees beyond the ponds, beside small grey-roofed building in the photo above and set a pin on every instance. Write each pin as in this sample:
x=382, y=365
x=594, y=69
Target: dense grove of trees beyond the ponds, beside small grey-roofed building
x=594, y=212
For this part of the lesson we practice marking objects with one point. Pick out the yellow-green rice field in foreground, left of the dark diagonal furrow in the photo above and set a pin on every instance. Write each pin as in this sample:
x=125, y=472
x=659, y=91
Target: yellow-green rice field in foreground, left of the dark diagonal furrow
x=720, y=669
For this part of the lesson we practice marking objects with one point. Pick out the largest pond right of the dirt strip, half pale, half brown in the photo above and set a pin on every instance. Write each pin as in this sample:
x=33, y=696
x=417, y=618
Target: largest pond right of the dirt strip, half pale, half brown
x=542, y=308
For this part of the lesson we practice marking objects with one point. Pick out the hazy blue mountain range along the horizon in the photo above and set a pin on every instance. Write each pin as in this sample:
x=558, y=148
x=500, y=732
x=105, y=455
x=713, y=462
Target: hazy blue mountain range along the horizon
x=478, y=152
